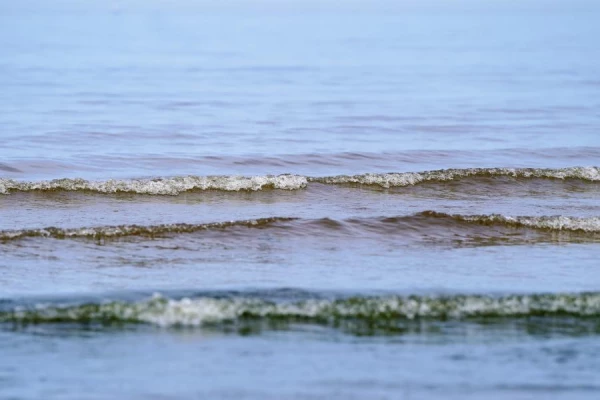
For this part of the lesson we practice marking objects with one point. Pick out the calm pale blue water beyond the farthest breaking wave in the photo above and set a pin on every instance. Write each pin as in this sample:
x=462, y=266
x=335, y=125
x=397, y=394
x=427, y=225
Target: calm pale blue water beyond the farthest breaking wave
x=141, y=91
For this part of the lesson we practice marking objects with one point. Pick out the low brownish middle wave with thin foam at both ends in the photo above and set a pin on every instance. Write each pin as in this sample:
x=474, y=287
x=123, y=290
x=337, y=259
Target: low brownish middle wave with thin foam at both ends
x=426, y=224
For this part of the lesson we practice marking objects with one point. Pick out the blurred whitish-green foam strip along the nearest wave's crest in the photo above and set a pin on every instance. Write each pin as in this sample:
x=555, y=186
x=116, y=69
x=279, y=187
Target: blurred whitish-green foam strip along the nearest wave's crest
x=166, y=312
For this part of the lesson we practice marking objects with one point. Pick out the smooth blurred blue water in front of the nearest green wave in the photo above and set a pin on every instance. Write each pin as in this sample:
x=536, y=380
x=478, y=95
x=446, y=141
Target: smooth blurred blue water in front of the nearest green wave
x=467, y=362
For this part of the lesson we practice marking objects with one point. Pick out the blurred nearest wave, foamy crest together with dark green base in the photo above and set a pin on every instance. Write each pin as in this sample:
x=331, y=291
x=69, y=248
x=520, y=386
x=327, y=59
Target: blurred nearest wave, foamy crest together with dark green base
x=361, y=315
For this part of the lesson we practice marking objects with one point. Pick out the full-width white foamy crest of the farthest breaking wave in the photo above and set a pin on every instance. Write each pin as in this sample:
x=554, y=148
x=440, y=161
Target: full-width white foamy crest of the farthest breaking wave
x=177, y=185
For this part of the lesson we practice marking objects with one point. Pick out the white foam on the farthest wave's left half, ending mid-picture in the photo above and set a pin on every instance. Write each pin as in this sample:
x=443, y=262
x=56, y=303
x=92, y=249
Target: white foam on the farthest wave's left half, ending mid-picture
x=160, y=186
